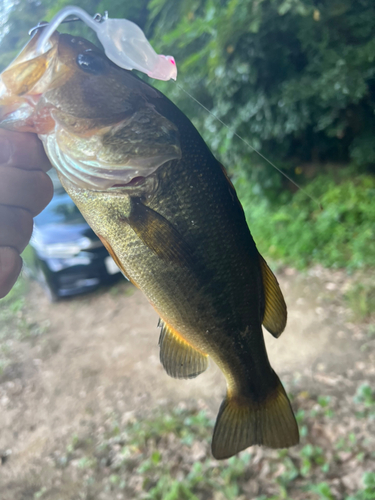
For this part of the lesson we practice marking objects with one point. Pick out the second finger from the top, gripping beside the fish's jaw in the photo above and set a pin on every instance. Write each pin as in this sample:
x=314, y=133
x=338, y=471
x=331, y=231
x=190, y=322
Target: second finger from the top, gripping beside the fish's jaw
x=31, y=190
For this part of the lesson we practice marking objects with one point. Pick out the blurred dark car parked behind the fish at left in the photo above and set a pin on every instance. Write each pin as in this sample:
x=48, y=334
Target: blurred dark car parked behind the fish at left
x=64, y=253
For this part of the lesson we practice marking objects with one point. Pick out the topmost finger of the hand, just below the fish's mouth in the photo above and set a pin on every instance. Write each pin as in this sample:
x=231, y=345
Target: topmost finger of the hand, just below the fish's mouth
x=22, y=150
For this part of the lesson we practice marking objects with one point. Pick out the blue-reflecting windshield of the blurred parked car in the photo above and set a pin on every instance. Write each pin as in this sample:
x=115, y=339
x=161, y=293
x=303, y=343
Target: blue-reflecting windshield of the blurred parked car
x=61, y=208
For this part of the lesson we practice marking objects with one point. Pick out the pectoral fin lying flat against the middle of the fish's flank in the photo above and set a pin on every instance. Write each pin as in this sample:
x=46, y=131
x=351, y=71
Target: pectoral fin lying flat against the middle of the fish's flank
x=159, y=235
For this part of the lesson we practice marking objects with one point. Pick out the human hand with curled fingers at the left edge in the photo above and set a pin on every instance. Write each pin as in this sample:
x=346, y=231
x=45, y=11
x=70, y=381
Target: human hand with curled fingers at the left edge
x=25, y=189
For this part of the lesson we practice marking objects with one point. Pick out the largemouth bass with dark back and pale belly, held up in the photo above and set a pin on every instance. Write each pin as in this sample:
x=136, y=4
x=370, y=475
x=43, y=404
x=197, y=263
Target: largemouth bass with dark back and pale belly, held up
x=168, y=214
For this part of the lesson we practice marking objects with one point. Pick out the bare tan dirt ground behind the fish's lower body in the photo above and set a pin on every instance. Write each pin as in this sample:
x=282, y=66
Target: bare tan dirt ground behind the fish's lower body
x=98, y=354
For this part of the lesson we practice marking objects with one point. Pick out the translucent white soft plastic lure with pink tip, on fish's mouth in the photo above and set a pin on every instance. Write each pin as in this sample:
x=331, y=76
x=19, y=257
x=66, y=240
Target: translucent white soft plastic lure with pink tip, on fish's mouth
x=124, y=43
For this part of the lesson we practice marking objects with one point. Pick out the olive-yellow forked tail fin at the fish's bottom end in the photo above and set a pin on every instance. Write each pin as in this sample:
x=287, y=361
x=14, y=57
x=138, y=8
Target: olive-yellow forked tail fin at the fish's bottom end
x=241, y=422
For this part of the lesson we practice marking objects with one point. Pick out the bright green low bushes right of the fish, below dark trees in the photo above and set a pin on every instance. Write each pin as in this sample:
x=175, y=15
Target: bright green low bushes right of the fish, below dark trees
x=299, y=232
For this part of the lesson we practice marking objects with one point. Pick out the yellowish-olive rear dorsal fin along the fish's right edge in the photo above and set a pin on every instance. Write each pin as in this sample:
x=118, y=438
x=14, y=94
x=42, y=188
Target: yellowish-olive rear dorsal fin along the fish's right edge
x=275, y=313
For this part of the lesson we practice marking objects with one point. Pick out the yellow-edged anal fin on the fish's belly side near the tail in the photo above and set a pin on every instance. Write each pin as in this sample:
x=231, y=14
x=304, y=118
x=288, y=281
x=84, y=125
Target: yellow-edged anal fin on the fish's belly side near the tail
x=178, y=357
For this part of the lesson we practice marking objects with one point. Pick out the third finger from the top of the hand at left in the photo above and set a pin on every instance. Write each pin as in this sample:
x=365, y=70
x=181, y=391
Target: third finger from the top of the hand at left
x=16, y=227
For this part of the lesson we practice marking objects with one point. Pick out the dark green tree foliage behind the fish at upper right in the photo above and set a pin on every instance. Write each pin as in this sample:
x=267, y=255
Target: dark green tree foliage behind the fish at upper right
x=281, y=73
